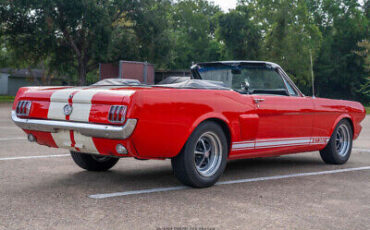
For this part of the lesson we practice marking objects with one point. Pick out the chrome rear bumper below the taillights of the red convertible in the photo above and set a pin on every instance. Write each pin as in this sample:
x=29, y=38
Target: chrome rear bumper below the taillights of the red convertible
x=87, y=129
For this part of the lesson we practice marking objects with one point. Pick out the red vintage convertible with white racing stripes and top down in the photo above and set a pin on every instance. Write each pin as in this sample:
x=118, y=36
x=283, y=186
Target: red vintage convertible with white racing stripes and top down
x=226, y=110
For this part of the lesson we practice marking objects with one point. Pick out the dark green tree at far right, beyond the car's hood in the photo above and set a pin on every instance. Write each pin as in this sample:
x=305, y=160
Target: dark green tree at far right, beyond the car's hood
x=340, y=72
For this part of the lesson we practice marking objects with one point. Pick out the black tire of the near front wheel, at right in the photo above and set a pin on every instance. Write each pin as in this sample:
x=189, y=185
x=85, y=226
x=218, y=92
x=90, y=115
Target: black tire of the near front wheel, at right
x=331, y=154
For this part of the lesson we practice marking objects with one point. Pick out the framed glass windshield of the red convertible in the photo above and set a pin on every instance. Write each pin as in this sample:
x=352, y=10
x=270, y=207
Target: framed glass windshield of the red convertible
x=247, y=78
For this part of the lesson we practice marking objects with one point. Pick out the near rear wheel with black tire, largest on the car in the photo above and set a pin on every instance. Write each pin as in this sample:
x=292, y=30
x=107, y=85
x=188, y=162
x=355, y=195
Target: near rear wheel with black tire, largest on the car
x=185, y=166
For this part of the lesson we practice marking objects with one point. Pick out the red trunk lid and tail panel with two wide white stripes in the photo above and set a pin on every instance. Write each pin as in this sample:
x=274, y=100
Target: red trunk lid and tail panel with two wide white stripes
x=89, y=104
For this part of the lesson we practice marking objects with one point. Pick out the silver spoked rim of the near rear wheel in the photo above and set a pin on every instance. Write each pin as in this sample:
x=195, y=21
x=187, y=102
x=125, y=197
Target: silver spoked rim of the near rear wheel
x=208, y=154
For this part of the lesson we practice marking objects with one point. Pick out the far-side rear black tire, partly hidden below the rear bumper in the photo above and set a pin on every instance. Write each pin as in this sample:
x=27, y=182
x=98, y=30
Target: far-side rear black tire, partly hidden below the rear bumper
x=93, y=162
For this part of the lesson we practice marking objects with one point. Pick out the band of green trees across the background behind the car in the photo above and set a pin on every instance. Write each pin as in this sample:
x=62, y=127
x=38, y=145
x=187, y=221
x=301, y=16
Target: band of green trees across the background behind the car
x=72, y=37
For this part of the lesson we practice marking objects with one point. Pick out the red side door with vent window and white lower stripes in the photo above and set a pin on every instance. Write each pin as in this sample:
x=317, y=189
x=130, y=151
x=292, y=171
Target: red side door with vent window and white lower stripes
x=285, y=121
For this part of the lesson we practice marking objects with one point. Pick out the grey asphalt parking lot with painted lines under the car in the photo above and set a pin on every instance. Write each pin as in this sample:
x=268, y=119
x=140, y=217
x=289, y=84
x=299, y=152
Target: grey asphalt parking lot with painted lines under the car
x=42, y=188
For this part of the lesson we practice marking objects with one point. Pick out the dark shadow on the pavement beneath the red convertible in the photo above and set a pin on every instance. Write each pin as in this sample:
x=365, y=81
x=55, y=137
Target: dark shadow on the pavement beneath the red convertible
x=150, y=176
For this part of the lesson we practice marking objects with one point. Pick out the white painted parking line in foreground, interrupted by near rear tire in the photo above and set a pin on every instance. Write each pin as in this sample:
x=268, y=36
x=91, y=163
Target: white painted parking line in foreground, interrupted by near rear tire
x=153, y=190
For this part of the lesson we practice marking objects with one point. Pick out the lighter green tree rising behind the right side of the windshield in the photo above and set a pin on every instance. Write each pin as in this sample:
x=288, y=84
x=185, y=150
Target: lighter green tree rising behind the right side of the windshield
x=290, y=35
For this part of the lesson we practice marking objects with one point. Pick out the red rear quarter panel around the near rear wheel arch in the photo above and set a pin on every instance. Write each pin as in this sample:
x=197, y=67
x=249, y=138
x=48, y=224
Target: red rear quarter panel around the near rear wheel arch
x=166, y=118
